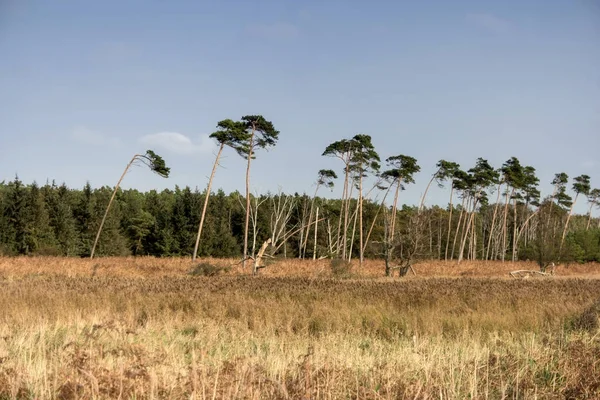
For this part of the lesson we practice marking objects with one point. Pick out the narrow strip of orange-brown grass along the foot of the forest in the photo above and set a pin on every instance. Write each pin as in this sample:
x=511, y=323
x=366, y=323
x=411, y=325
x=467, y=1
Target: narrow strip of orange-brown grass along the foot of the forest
x=179, y=266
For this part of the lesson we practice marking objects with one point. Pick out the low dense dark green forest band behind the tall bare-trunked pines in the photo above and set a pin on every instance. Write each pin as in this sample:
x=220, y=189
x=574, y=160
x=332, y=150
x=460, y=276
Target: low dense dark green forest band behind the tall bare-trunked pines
x=59, y=221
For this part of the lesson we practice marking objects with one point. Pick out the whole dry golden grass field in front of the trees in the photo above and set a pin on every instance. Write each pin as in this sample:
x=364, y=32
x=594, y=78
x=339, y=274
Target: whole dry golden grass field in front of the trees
x=144, y=328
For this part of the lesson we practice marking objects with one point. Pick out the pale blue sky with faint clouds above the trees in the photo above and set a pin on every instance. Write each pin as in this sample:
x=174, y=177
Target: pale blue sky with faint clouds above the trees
x=86, y=85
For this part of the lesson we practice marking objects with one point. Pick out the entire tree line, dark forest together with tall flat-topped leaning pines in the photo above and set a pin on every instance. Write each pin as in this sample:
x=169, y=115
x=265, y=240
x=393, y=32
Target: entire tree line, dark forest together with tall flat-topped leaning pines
x=492, y=213
